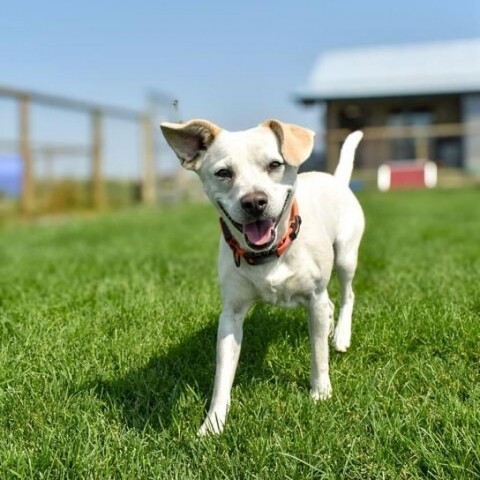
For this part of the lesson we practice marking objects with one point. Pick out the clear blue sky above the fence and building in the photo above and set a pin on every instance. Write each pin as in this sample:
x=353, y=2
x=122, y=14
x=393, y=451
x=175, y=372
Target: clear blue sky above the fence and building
x=234, y=63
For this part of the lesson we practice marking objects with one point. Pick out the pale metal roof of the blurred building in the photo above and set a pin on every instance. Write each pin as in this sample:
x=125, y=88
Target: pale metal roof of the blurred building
x=400, y=70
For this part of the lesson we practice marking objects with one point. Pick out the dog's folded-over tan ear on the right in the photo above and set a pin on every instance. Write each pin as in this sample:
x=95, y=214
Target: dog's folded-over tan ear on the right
x=296, y=143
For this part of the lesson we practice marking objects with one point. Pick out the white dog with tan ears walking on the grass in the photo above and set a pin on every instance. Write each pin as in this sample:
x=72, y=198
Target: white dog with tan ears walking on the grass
x=251, y=178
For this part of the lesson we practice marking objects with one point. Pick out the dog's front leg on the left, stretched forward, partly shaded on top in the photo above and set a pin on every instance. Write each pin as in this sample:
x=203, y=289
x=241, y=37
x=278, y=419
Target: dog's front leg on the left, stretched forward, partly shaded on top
x=229, y=341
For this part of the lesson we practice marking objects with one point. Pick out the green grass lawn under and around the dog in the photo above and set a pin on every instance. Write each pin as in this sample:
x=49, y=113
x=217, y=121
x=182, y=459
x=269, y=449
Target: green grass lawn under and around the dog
x=107, y=346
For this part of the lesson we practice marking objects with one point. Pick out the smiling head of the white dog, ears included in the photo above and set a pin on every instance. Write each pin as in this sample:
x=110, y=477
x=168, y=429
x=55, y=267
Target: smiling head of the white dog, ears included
x=249, y=175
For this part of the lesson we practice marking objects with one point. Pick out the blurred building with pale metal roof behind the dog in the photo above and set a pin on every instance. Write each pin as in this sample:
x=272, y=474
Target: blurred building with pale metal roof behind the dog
x=413, y=102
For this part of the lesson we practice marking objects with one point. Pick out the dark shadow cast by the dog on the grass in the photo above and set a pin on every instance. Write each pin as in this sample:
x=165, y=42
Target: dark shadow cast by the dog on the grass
x=152, y=395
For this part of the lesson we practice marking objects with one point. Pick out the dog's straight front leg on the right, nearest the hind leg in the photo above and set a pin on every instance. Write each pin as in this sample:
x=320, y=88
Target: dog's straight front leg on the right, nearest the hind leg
x=320, y=323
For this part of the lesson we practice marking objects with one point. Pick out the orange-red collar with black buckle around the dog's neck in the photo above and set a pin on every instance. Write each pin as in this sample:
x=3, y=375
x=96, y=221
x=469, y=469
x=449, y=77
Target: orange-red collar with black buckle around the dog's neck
x=254, y=258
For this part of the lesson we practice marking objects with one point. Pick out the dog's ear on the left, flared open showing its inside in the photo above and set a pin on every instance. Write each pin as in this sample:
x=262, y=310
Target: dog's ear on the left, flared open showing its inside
x=189, y=140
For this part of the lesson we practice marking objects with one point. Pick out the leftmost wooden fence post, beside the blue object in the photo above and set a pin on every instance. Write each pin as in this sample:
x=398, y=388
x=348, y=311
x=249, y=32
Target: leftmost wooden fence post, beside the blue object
x=28, y=194
